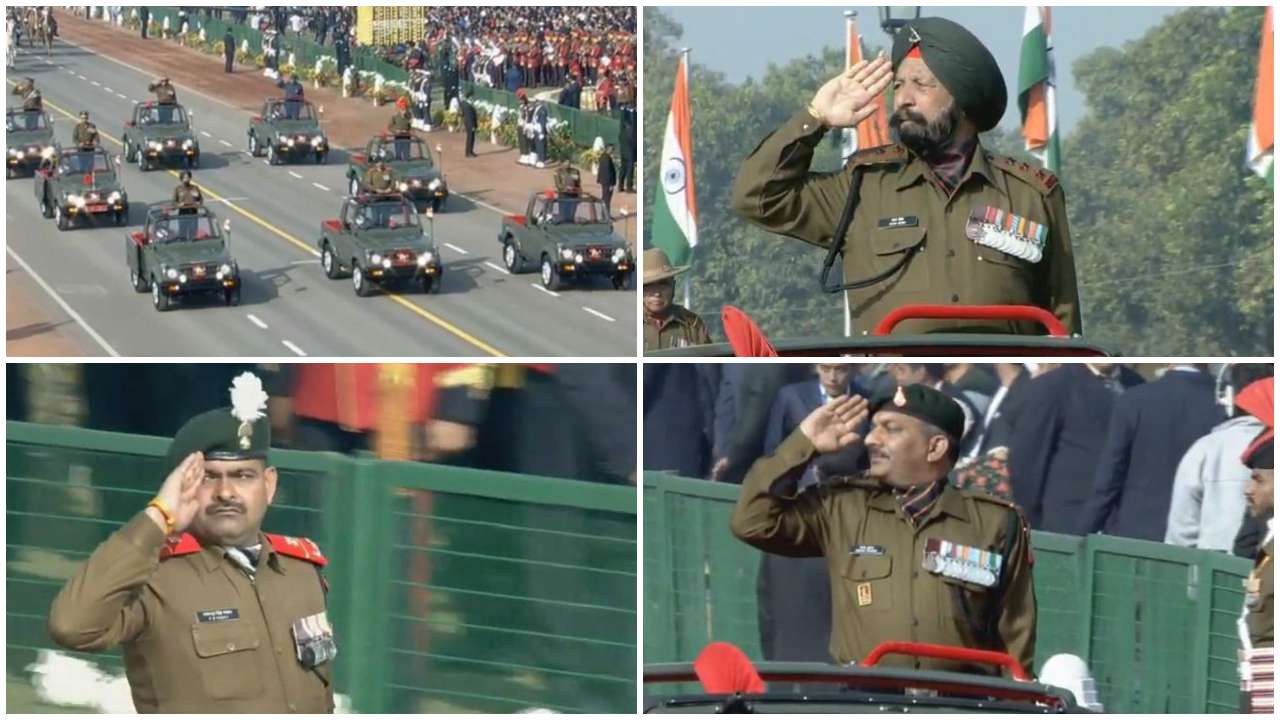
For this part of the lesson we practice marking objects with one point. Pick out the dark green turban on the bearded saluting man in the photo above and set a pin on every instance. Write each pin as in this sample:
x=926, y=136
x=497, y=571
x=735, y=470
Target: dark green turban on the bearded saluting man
x=962, y=63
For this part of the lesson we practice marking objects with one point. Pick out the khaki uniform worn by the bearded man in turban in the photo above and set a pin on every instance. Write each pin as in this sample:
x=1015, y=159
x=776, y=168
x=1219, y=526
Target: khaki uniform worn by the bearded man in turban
x=903, y=211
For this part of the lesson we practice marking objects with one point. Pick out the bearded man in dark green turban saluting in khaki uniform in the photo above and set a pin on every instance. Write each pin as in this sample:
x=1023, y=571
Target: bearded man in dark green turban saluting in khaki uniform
x=939, y=220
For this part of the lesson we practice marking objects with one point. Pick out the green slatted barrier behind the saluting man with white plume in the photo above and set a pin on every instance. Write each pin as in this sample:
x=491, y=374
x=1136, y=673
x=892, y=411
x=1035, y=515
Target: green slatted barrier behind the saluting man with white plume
x=452, y=590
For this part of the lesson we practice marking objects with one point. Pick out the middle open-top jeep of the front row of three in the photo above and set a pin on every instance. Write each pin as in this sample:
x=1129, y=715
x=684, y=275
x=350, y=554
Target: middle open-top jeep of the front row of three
x=381, y=241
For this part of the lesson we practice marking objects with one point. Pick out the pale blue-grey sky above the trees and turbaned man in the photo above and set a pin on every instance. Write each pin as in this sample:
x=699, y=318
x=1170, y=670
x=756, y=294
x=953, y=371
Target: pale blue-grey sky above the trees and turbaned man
x=743, y=42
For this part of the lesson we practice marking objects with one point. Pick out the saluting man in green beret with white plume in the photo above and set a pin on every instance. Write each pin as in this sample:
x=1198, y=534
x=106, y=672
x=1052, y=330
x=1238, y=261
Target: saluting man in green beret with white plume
x=214, y=616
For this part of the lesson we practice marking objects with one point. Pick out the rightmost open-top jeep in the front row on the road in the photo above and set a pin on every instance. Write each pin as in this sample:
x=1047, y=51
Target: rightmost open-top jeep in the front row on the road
x=569, y=238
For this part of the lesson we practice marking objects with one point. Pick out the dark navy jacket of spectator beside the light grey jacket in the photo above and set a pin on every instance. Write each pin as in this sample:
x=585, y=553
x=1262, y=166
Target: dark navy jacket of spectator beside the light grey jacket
x=1150, y=431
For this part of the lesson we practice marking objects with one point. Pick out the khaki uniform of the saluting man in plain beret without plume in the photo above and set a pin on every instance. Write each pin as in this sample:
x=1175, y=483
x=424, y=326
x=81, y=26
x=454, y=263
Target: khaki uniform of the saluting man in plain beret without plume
x=881, y=589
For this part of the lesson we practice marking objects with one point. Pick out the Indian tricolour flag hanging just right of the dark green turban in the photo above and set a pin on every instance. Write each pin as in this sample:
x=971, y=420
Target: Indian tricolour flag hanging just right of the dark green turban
x=1037, y=89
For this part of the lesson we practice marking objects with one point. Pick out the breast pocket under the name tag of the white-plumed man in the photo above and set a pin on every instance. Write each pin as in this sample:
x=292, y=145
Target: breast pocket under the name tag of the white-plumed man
x=227, y=659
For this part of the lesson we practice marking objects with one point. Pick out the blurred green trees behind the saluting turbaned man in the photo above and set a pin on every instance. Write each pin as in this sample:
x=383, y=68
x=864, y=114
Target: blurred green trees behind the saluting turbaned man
x=1173, y=234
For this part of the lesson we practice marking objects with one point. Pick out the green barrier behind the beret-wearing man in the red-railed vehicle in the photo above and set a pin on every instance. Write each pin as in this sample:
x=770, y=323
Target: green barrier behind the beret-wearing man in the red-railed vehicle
x=1155, y=623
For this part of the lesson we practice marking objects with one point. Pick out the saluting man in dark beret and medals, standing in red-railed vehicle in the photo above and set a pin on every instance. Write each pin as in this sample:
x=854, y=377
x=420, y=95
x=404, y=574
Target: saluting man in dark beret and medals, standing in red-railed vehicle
x=911, y=558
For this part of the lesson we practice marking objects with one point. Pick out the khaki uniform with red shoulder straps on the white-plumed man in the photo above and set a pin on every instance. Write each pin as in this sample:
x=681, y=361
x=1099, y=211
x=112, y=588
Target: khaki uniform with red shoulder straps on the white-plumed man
x=199, y=635
